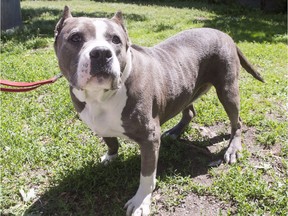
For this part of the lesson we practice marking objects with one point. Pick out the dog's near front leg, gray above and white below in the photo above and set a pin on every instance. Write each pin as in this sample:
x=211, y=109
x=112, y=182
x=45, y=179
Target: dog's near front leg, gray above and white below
x=139, y=205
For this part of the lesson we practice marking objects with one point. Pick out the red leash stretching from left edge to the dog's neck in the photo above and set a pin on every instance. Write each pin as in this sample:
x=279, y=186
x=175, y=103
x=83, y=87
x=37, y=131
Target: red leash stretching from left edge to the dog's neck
x=26, y=86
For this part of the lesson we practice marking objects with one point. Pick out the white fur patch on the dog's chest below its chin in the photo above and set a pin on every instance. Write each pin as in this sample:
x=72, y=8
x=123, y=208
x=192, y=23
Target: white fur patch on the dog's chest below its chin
x=103, y=111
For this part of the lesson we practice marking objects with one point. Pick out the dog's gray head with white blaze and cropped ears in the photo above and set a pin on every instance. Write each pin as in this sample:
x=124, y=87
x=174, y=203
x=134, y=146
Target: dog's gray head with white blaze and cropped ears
x=92, y=52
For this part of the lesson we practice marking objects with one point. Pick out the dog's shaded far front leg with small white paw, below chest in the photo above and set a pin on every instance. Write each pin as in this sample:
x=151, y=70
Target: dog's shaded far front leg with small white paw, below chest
x=113, y=146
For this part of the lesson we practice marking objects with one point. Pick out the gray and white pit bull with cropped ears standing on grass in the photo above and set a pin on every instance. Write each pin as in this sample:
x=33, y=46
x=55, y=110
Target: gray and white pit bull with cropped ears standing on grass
x=124, y=90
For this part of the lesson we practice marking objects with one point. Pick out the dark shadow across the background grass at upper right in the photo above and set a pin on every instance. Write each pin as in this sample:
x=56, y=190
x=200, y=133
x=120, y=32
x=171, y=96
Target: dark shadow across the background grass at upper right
x=240, y=22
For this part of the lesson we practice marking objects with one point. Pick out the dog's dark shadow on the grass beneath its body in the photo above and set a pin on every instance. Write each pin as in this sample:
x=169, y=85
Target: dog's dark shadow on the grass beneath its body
x=96, y=189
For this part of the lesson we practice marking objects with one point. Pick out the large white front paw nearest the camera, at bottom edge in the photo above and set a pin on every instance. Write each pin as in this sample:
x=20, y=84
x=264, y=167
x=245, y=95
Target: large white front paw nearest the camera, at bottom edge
x=138, y=205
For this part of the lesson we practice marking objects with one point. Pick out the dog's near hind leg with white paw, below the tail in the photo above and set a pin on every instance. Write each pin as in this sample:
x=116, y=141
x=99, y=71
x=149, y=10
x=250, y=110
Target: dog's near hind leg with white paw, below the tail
x=228, y=94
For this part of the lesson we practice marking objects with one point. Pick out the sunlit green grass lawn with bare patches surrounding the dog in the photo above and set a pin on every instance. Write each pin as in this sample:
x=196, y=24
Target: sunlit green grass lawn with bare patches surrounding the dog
x=48, y=153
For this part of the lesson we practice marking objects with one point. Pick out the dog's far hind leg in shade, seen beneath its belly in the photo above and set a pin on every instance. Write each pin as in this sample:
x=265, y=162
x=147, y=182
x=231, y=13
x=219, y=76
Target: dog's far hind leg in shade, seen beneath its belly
x=187, y=115
